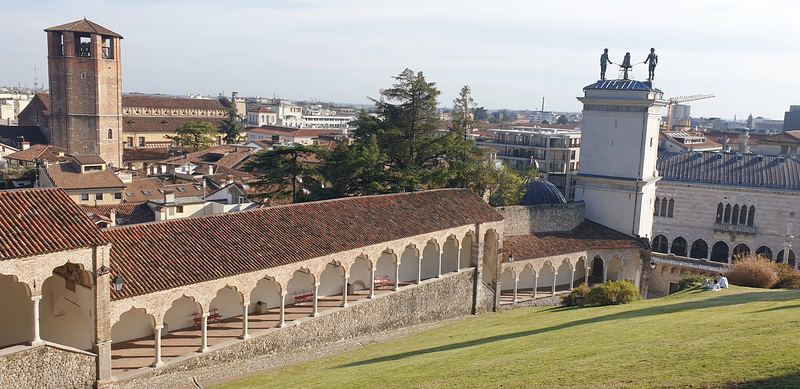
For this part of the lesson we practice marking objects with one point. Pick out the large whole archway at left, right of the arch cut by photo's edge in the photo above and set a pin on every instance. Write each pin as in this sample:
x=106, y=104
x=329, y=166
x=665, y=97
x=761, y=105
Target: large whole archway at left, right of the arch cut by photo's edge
x=65, y=309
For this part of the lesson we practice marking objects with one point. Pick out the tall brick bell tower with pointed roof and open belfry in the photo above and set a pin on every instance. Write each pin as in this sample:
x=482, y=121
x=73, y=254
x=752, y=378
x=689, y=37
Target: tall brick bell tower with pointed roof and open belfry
x=85, y=70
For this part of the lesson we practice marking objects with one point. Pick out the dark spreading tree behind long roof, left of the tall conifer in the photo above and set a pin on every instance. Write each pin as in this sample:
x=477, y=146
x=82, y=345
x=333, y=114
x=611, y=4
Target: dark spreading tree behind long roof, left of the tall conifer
x=288, y=172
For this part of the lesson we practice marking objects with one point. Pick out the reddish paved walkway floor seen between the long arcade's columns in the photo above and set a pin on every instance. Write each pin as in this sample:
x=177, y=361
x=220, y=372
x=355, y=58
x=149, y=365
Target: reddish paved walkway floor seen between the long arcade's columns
x=138, y=353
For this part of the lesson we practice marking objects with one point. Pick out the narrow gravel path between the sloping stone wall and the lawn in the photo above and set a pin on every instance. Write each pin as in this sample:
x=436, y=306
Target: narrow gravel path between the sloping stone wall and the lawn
x=239, y=369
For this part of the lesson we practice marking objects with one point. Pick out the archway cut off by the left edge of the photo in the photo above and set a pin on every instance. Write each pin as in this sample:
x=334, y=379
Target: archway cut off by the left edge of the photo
x=16, y=323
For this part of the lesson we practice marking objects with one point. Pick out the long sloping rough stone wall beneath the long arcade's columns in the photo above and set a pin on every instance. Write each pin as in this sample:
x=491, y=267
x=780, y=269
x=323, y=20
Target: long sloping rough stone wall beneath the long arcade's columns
x=433, y=300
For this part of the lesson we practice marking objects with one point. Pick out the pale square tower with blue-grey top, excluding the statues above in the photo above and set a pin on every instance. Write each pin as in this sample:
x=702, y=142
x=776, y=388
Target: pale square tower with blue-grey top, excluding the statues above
x=619, y=144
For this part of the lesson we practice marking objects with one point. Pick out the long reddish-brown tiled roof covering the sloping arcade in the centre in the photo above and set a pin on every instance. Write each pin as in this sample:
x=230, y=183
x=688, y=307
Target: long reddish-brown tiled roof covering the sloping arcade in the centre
x=161, y=256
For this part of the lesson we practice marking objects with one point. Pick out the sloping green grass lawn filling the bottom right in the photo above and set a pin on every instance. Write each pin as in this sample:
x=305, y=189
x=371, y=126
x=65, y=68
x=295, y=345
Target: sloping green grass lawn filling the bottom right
x=740, y=337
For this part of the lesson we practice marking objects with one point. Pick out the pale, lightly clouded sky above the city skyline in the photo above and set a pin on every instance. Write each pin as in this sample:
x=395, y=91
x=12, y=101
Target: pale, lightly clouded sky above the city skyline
x=511, y=53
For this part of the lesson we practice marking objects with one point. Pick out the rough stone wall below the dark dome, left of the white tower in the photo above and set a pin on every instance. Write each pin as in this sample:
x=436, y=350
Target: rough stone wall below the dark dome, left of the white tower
x=528, y=219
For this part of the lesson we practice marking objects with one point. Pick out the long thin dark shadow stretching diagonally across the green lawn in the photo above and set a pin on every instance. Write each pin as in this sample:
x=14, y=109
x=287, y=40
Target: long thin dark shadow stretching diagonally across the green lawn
x=714, y=302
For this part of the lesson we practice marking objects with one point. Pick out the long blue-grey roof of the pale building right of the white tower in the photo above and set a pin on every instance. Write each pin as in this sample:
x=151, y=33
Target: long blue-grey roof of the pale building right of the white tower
x=730, y=169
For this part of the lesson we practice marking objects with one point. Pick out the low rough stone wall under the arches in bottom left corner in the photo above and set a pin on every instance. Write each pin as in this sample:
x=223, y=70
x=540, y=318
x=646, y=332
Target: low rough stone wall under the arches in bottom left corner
x=46, y=367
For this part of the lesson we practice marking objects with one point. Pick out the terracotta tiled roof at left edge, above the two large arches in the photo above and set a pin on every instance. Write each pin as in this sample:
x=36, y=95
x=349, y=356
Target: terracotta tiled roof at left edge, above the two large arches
x=40, y=221
